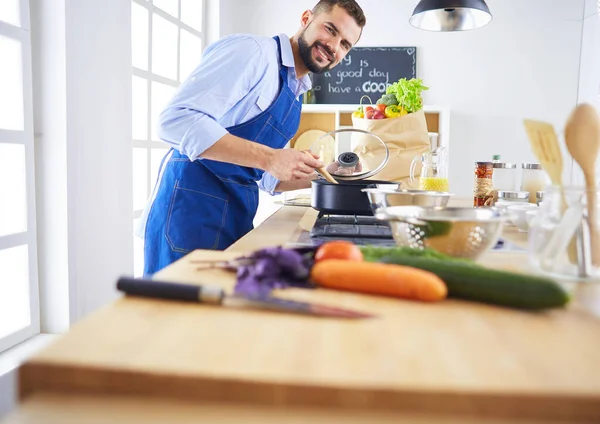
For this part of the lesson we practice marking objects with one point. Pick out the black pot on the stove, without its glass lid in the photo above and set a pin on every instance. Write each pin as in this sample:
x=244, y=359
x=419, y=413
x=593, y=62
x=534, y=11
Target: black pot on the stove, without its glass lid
x=345, y=198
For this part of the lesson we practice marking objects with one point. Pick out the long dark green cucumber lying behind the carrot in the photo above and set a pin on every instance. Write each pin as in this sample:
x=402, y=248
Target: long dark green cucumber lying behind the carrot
x=477, y=283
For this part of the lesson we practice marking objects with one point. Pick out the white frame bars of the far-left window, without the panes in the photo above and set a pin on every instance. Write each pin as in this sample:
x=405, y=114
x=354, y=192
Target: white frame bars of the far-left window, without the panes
x=24, y=138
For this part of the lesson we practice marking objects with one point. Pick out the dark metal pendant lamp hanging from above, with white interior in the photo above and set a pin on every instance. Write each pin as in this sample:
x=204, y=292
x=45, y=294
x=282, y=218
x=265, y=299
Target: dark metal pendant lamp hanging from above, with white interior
x=450, y=15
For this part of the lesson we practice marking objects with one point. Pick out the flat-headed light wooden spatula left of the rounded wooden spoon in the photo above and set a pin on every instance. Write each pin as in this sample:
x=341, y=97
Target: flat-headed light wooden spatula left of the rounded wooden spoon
x=544, y=144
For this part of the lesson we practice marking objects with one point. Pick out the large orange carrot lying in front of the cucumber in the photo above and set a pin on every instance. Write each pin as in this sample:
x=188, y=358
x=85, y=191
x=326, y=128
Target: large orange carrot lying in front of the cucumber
x=378, y=278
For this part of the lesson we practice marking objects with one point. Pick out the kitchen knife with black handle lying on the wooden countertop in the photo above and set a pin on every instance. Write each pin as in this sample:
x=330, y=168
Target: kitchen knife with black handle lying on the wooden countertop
x=216, y=295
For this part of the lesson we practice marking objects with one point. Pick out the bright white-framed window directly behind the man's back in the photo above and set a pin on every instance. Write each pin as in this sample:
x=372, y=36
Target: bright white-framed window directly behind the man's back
x=167, y=42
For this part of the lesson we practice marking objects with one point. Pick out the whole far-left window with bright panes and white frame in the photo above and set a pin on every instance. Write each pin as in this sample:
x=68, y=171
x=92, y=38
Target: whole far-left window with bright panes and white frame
x=19, y=310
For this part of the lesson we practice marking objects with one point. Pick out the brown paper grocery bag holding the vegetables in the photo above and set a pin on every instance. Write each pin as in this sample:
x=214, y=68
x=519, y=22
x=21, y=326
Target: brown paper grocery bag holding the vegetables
x=406, y=137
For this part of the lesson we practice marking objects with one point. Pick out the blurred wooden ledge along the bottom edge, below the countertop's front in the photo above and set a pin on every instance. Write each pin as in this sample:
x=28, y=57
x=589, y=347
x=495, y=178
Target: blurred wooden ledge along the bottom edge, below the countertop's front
x=56, y=408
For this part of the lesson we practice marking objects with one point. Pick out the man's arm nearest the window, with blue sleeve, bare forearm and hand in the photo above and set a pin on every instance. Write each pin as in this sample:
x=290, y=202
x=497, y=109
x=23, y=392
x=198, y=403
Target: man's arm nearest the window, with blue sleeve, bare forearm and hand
x=189, y=122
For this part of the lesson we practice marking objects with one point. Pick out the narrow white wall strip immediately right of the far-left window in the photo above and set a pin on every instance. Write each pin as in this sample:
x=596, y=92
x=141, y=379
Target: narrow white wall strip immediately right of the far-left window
x=50, y=125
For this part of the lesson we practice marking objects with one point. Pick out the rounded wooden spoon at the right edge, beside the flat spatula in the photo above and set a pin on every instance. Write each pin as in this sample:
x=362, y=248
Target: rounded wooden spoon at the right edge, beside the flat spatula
x=582, y=136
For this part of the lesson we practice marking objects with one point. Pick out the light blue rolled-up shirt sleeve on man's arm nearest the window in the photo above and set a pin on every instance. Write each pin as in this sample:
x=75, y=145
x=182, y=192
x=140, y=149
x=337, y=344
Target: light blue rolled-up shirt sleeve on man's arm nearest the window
x=227, y=72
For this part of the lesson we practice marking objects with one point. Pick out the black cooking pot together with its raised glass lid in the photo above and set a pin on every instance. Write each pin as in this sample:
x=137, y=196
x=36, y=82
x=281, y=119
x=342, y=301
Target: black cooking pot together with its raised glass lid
x=347, y=197
